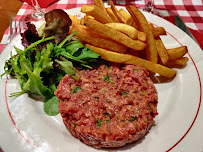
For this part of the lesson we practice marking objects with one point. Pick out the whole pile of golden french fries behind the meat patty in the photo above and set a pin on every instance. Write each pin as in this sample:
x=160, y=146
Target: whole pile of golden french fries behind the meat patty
x=126, y=37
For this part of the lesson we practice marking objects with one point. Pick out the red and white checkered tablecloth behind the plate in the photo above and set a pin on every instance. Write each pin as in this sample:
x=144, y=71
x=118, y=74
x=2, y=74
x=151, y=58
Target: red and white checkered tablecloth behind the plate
x=191, y=11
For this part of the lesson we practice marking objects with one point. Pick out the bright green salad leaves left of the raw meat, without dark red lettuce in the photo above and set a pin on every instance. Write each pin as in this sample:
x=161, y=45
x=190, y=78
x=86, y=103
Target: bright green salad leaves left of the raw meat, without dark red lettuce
x=43, y=63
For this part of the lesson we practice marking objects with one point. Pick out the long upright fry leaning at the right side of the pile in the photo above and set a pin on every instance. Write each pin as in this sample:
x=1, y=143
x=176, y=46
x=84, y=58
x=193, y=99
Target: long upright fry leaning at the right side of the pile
x=140, y=20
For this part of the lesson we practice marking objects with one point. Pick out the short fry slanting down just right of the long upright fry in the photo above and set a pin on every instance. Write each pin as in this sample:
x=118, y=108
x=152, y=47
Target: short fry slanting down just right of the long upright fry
x=161, y=49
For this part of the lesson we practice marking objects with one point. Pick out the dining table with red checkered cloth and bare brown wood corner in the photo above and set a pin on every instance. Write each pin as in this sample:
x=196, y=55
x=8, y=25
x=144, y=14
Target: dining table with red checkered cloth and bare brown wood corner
x=191, y=12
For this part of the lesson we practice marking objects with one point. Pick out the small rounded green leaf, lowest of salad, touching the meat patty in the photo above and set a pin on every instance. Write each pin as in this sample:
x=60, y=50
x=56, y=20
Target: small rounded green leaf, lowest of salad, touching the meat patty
x=51, y=106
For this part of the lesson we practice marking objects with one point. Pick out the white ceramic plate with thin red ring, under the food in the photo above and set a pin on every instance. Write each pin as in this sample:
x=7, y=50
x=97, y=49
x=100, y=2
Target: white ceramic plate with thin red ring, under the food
x=179, y=126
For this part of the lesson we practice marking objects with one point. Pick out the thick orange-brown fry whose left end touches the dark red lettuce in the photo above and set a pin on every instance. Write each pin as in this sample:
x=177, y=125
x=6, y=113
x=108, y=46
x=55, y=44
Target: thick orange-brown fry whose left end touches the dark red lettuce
x=88, y=36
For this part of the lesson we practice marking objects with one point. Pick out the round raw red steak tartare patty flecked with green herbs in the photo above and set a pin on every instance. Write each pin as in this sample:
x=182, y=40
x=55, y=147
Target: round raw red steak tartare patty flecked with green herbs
x=108, y=106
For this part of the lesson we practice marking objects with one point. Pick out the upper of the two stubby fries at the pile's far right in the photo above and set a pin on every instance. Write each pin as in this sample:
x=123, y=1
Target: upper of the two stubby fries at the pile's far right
x=177, y=52
